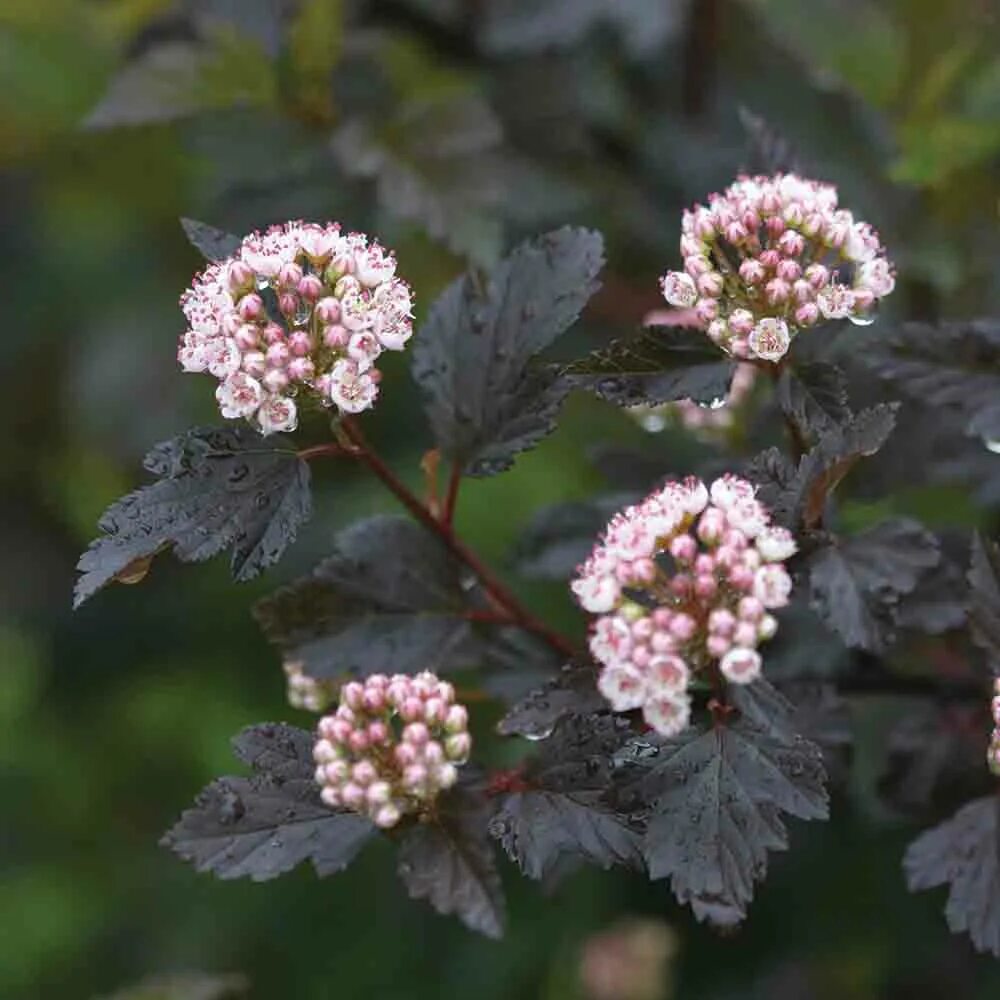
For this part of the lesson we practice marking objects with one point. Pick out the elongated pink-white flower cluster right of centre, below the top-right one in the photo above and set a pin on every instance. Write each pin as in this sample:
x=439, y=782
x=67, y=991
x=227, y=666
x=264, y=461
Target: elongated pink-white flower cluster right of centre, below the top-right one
x=682, y=580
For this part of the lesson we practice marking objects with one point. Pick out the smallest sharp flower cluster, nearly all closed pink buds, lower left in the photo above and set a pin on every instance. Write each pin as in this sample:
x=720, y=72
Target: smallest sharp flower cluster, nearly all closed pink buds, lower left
x=391, y=746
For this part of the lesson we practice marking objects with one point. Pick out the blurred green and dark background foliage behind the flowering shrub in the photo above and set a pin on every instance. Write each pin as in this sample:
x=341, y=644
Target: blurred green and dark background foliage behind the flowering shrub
x=457, y=127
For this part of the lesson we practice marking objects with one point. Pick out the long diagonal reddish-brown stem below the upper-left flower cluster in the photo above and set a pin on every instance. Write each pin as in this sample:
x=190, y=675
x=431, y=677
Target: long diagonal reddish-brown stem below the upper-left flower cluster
x=443, y=529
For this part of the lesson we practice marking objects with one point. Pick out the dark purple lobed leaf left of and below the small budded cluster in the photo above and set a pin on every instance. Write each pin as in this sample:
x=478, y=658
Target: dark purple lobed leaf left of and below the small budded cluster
x=263, y=826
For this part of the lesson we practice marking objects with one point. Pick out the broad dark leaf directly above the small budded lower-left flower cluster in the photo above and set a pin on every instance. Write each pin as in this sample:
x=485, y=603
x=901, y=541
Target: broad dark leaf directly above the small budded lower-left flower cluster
x=391, y=597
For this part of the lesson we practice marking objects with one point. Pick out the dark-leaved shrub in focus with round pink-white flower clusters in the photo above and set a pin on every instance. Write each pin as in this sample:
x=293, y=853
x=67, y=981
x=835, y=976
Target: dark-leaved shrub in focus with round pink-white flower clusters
x=658, y=744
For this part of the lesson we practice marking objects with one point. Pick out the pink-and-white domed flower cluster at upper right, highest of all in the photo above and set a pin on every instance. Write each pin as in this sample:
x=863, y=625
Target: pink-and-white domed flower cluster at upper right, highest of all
x=771, y=256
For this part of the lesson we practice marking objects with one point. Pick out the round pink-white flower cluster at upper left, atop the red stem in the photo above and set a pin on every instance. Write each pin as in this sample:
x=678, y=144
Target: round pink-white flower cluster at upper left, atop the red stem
x=300, y=308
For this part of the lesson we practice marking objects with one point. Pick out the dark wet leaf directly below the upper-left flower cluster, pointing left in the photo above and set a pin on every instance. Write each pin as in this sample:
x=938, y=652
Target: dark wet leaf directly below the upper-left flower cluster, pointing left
x=219, y=488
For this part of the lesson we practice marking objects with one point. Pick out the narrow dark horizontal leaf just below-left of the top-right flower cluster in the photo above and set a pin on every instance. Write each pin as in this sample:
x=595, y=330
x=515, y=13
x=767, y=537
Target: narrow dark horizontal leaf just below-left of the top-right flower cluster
x=659, y=365
